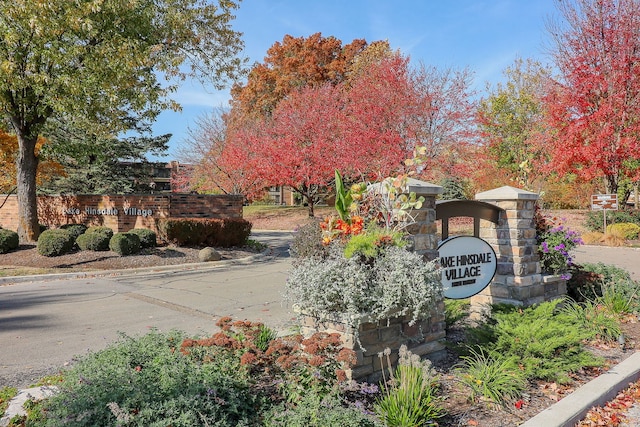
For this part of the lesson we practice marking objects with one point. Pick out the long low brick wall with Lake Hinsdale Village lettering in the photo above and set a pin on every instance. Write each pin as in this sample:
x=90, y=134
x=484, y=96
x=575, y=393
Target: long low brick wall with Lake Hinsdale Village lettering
x=123, y=212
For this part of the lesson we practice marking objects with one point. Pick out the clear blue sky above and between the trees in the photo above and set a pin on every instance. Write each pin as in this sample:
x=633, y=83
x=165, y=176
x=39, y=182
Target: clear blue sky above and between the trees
x=484, y=35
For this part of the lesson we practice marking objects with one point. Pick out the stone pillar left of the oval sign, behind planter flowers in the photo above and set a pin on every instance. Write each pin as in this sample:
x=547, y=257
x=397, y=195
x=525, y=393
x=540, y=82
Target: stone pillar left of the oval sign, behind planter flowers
x=424, y=231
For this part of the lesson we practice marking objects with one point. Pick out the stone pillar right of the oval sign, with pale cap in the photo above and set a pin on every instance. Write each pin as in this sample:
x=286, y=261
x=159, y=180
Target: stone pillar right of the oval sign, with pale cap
x=518, y=278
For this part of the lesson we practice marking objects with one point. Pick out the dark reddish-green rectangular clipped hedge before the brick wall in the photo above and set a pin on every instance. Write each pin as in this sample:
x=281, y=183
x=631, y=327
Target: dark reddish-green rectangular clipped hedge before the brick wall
x=198, y=232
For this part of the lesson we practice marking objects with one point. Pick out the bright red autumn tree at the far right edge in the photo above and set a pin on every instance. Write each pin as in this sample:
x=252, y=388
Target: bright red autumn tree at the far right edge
x=594, y=109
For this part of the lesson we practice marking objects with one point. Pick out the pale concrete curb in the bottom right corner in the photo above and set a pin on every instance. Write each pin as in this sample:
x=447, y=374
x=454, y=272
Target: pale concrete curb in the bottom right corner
x=573, y=408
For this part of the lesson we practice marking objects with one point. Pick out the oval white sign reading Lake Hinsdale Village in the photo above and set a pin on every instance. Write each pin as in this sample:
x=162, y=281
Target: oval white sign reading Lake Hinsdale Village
x=468, y=266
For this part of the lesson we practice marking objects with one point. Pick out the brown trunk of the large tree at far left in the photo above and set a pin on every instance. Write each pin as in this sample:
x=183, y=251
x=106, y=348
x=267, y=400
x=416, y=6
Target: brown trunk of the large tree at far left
x=26, y=166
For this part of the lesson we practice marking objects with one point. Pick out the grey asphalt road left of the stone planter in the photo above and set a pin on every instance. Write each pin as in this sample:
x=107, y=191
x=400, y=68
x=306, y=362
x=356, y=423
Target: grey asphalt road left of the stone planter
x=44, y=324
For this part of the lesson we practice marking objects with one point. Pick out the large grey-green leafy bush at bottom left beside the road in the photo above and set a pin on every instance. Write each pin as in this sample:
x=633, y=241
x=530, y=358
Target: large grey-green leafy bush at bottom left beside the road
x=147, y=382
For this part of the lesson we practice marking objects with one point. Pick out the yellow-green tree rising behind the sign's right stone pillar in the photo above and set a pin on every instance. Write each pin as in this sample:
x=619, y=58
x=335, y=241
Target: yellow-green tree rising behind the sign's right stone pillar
x=511, y=116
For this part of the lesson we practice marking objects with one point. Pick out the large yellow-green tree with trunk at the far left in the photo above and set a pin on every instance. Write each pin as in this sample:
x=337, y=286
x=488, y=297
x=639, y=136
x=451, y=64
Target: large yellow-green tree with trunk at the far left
x=101, y=64
